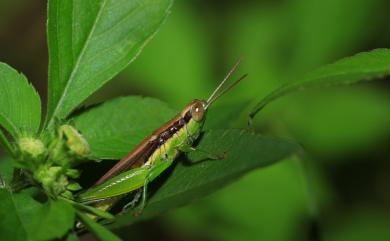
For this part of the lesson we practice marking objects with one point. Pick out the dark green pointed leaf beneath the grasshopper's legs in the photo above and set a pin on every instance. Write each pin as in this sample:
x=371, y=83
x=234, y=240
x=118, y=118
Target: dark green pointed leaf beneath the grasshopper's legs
x=243, y=151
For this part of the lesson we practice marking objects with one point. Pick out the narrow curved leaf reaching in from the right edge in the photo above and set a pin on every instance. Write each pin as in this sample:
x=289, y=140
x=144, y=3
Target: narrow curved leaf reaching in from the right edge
x=360, y=67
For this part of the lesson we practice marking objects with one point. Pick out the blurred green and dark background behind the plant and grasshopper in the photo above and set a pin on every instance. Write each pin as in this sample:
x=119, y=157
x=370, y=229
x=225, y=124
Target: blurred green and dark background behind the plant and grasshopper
x=338, y=191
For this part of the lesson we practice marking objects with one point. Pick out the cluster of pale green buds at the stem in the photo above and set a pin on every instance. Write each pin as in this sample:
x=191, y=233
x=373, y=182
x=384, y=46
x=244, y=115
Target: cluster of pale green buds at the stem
x=51, y=158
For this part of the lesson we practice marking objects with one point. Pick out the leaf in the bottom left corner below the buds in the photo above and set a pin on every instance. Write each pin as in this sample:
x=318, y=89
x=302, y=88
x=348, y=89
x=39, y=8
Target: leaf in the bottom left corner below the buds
x=23, y=218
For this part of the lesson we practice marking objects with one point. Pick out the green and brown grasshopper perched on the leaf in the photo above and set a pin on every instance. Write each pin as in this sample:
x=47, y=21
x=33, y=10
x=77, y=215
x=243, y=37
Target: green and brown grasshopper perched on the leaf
x=154, y=154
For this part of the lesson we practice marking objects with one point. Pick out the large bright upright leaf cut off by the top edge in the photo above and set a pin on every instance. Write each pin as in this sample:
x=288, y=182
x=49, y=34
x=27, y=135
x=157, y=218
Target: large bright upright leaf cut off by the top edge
x=91, y=41
